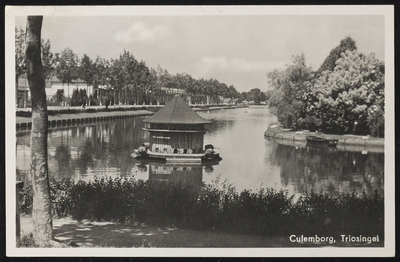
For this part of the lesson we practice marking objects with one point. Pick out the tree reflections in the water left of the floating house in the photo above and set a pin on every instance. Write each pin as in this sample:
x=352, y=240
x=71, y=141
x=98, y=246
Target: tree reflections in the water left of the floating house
x=104, y=148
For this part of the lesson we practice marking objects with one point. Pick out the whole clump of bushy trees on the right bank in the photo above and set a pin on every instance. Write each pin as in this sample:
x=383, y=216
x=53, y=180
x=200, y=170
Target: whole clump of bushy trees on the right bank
x=345, y=95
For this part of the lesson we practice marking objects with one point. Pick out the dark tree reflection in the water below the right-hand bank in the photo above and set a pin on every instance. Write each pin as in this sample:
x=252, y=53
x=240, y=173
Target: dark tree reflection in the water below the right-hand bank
x=328, y=170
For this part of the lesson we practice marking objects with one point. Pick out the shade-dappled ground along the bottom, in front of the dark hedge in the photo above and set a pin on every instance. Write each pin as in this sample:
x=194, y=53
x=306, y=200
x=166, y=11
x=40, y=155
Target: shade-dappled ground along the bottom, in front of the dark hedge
x=85, y=234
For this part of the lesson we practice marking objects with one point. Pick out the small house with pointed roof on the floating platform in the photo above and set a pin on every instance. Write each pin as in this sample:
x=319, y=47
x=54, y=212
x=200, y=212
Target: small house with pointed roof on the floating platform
x=176, y=128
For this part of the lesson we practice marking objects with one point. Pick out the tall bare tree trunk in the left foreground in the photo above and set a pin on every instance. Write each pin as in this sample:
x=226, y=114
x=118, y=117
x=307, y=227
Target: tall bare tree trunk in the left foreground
x=41, y=210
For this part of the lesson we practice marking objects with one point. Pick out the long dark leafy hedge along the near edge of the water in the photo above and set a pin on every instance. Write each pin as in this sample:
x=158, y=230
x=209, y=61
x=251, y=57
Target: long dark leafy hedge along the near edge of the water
x=216, y=207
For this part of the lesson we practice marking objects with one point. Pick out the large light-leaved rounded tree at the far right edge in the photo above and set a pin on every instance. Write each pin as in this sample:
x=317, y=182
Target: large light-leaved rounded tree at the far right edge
x=351, y=98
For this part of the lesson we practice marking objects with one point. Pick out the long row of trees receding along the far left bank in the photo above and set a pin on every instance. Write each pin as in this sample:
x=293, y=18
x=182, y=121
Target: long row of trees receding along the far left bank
x=123, y=80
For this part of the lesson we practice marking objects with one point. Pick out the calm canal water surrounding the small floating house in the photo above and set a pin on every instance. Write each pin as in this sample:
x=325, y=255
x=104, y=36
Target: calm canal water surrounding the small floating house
x=250, y=161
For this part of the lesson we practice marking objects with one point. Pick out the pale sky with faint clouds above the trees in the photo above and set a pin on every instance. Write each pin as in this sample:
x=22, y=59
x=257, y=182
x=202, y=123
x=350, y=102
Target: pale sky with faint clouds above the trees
x=236, y=50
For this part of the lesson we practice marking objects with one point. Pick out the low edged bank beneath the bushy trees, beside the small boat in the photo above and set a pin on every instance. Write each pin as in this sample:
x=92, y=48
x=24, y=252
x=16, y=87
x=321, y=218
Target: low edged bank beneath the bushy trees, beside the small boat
x=345, y=142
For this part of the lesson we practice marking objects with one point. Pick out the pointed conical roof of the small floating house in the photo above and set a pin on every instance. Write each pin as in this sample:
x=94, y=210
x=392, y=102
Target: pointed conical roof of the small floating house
x=176, y=111
